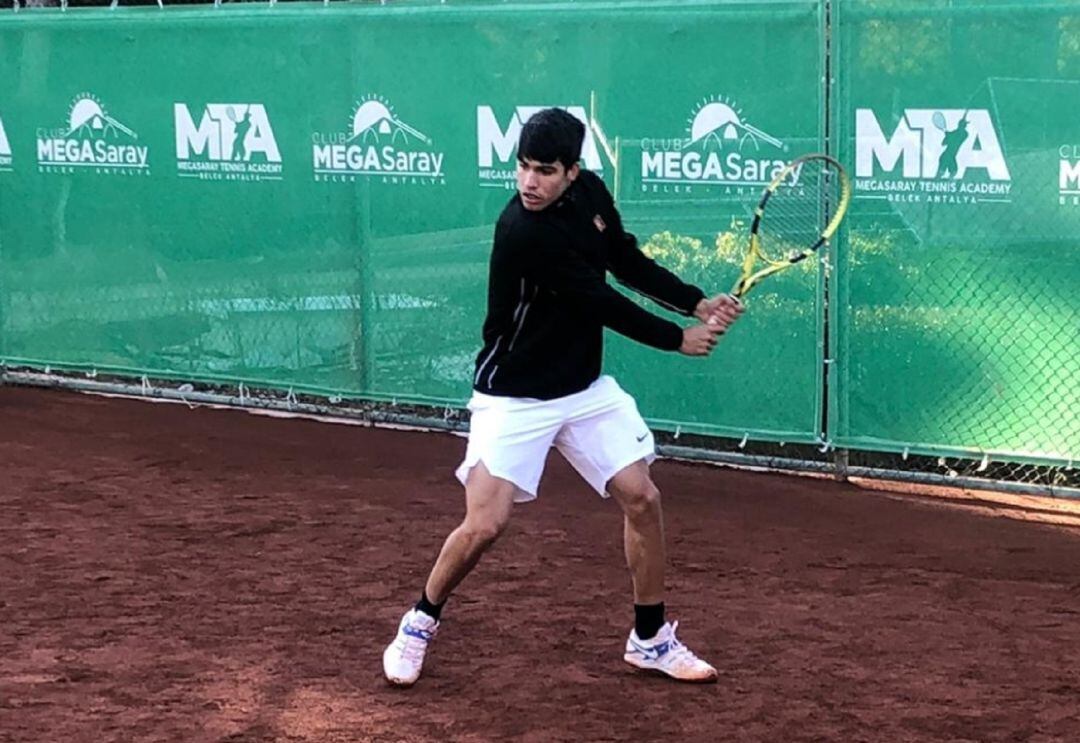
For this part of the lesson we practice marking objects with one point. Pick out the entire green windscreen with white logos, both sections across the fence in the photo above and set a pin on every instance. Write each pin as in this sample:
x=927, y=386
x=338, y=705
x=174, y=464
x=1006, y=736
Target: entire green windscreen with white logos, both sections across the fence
x=304, y=197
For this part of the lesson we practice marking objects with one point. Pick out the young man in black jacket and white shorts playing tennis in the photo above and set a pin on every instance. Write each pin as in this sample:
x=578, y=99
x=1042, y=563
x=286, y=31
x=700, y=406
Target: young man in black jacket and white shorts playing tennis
x=538, y=385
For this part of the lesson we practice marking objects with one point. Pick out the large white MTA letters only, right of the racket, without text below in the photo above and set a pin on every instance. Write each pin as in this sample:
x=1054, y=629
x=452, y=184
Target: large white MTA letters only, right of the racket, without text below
x=928, y=143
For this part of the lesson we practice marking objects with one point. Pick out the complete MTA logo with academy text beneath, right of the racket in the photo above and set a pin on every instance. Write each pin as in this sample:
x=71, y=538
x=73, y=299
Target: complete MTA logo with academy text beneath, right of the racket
x=934, y=155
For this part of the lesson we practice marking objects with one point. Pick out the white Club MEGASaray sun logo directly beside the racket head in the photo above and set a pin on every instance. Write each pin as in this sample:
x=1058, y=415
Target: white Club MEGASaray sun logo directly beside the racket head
x=722, y=155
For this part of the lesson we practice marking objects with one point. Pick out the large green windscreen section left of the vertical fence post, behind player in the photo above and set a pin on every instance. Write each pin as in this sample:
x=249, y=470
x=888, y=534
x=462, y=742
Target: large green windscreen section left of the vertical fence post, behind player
x=304, y=197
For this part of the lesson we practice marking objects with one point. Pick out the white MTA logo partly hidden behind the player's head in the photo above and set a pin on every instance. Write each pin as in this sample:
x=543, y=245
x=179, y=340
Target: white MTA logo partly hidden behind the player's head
x=497, y=147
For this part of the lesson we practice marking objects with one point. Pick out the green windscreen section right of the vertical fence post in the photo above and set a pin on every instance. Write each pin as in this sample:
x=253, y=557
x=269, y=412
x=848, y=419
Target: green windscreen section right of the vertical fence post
x=957, y=321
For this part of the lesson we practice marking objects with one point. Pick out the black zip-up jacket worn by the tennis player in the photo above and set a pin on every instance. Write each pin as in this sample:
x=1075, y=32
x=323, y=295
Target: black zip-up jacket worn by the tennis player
x=548, y=299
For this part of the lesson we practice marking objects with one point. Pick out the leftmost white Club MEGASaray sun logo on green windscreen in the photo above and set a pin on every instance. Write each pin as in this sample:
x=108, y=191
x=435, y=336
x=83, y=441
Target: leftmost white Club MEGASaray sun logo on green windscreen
x=91, y=141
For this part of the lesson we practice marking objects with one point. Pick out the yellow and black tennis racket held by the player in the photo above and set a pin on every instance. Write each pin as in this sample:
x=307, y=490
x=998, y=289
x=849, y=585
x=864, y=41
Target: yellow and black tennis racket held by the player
x=798, y=214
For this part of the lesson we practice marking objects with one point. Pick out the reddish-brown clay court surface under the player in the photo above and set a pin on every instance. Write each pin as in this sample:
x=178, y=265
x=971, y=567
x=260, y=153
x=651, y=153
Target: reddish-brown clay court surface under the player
x=178, y=575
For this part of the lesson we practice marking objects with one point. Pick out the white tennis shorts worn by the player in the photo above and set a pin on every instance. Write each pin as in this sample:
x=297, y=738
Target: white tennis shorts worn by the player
x=599, y=430
